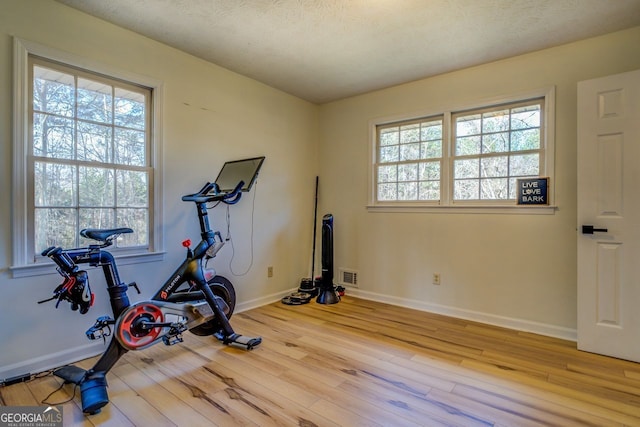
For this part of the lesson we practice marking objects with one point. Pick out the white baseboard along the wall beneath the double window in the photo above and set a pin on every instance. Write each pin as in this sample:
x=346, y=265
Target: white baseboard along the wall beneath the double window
x=477, y=316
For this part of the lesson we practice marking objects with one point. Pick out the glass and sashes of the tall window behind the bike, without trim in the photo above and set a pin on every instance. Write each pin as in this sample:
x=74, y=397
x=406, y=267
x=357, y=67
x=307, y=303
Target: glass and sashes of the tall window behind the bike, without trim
x=89, y=154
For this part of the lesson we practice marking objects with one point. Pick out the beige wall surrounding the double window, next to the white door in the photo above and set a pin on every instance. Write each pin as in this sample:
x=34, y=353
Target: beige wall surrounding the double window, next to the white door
x=484, y=259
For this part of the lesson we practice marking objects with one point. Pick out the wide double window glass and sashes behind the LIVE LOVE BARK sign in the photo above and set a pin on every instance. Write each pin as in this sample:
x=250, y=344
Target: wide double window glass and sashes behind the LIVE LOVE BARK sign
x=466, y=158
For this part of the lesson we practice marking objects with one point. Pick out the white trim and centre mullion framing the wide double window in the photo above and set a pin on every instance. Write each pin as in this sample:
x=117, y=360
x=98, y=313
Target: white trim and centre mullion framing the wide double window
x=482, y=206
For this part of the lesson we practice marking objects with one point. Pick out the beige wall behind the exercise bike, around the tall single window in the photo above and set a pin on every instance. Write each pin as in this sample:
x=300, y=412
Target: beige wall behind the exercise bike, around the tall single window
x=210, y=115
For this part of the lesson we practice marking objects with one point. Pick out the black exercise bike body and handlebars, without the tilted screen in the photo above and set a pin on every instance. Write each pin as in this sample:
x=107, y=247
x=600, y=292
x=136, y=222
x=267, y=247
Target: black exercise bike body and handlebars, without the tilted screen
x=131, y=322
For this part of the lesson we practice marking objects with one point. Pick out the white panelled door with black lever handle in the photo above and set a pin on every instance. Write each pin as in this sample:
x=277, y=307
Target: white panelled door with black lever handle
x=609, y=199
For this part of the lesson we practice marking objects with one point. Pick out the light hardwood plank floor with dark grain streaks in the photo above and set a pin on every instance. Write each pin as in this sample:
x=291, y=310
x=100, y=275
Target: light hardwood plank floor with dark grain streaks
x=359, y=363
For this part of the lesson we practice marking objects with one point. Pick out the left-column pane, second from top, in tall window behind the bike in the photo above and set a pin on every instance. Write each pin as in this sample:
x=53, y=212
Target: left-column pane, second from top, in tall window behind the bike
x=52, y=136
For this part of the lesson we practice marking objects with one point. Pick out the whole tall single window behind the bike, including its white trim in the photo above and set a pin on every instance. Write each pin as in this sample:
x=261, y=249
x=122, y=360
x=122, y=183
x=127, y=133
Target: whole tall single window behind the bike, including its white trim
x=86, y=155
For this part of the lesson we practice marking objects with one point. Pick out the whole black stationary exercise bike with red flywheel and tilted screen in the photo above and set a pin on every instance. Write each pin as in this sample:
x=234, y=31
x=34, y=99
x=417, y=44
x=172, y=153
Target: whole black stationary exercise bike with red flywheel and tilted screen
x=193, y=299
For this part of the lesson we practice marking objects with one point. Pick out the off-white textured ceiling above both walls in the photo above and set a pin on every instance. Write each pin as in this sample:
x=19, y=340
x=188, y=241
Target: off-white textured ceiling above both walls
x=324, y=50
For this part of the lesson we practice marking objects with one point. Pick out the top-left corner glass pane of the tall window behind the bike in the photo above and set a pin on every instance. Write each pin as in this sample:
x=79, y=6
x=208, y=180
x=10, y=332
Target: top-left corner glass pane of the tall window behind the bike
x=53, y=92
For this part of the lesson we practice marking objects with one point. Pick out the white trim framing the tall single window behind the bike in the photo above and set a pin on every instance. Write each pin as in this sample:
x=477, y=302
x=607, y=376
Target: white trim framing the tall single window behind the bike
x=22, y=265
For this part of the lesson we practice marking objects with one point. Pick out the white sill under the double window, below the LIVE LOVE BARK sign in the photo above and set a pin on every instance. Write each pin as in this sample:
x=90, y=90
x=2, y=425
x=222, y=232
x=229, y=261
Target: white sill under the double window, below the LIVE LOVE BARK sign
x=458, y=209
